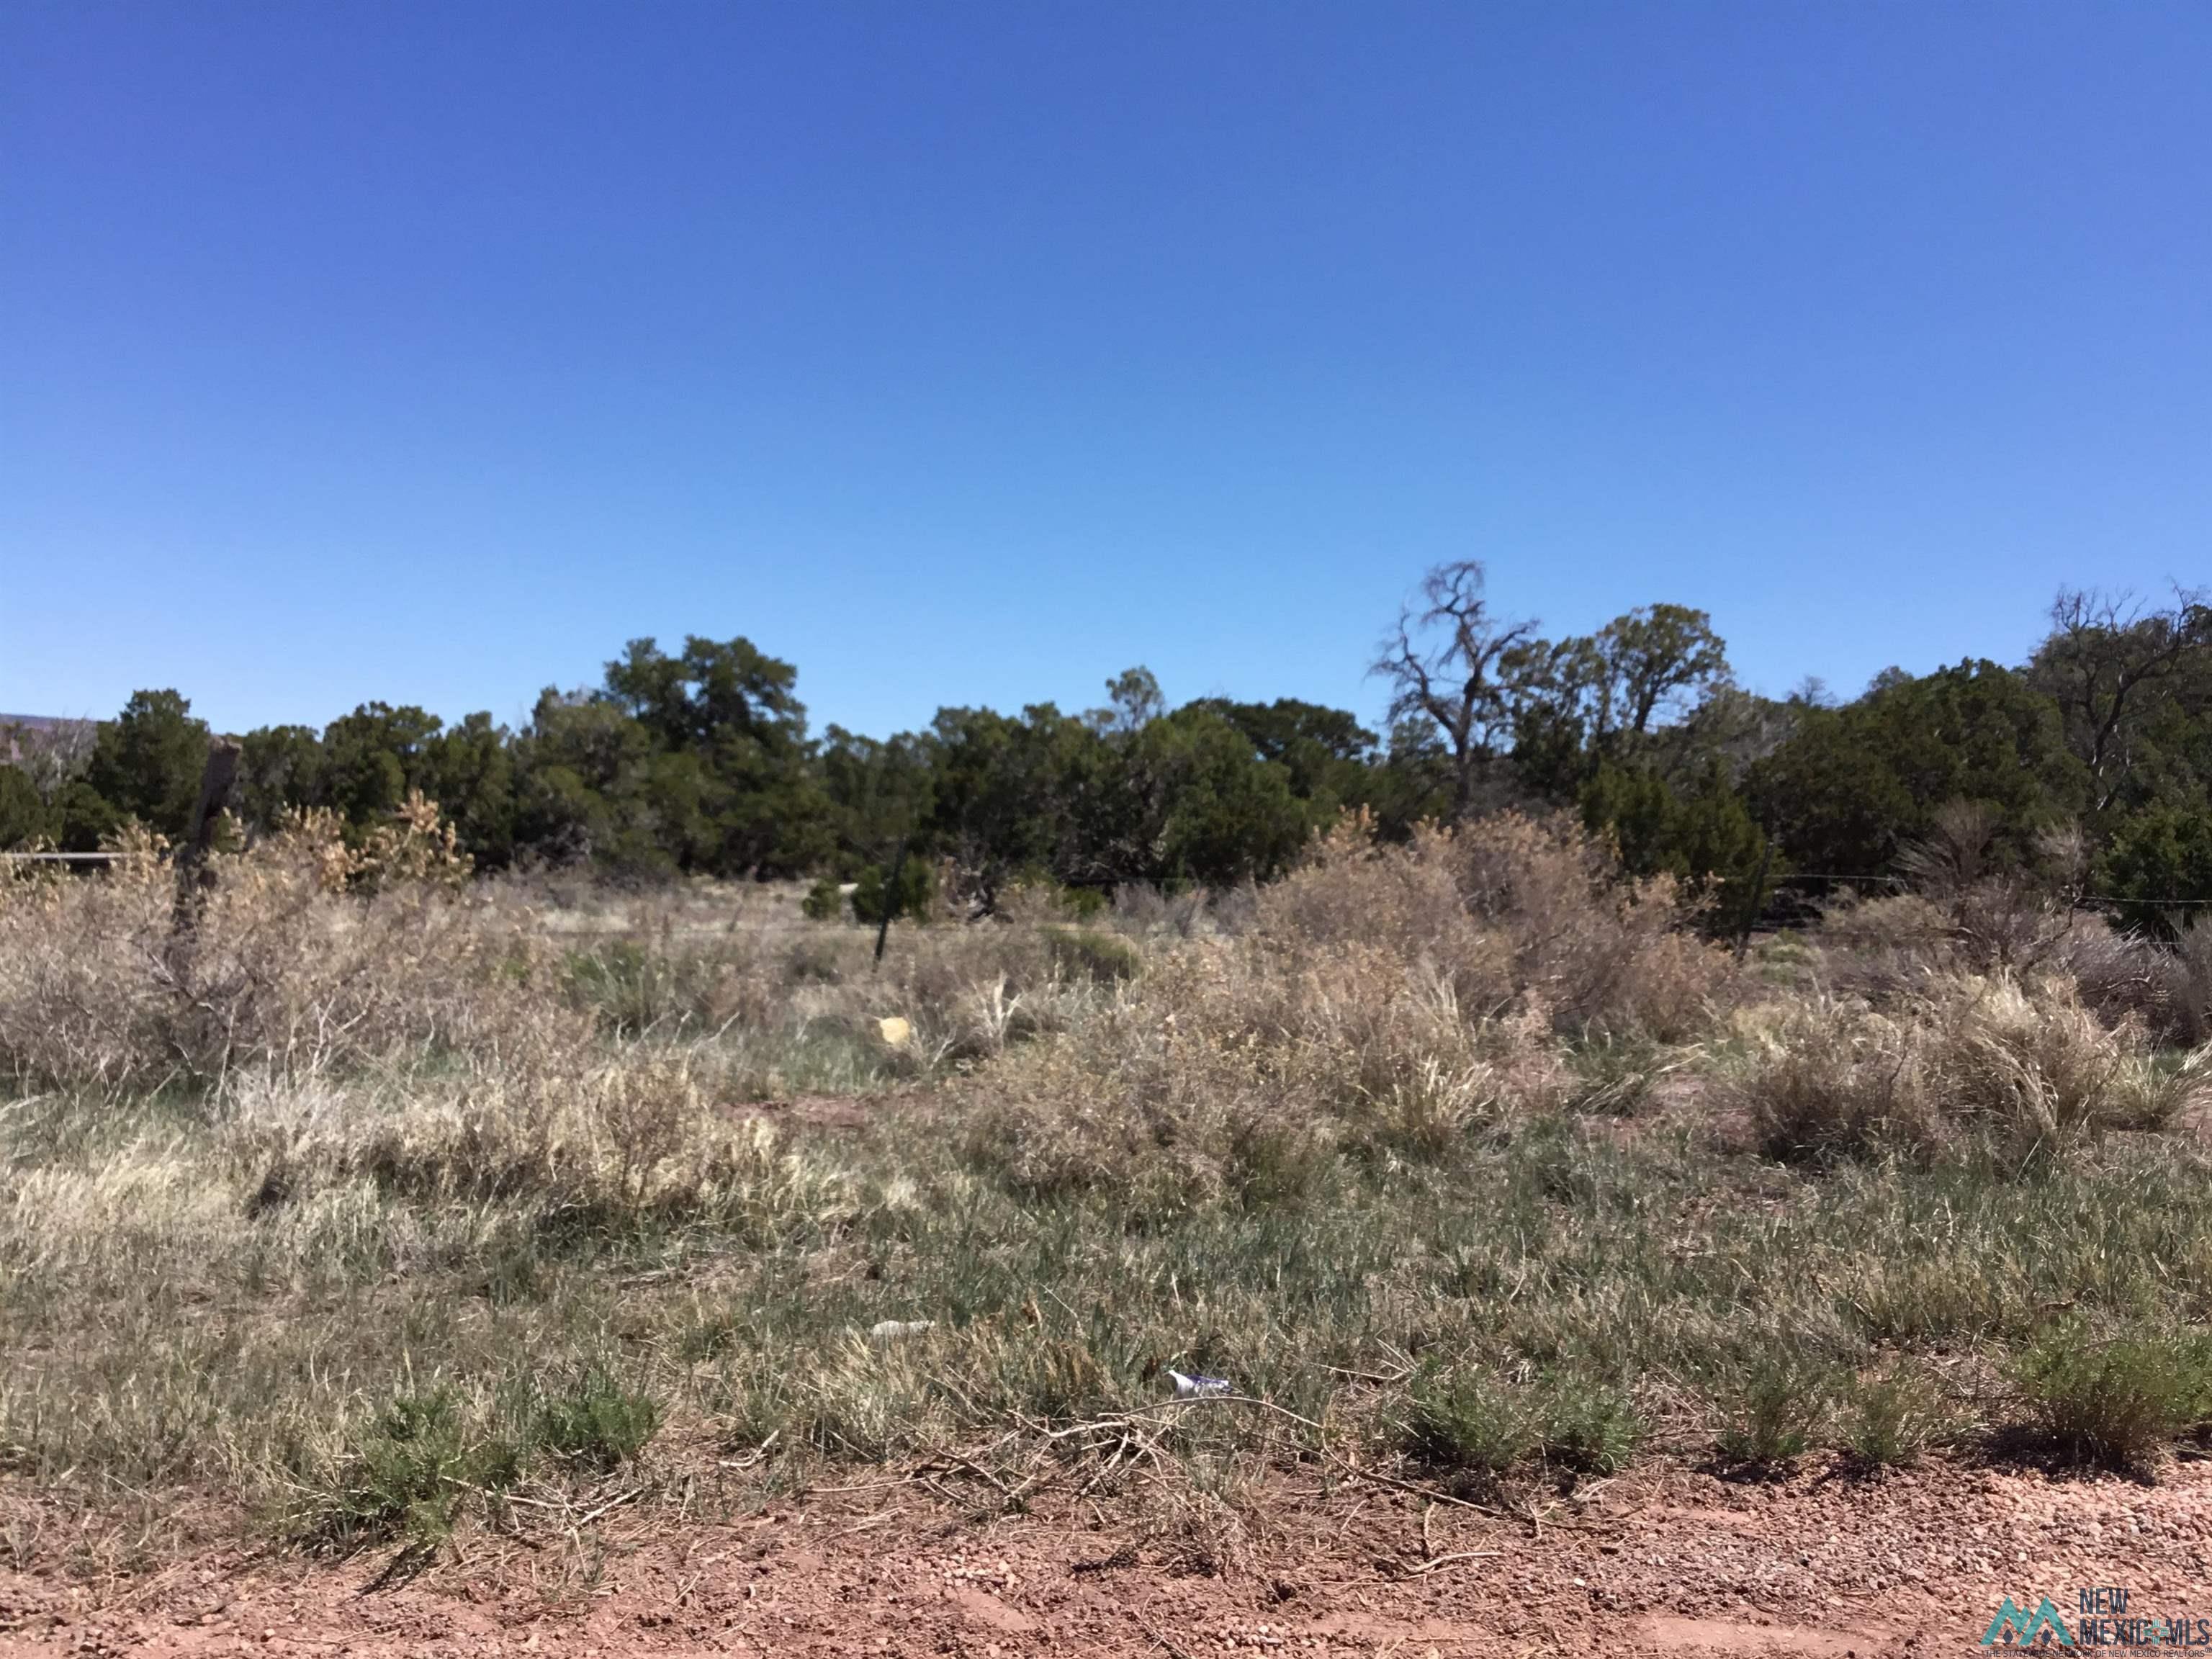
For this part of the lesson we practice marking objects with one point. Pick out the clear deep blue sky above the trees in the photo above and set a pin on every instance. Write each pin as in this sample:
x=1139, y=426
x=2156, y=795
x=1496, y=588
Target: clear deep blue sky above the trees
x=968, y=353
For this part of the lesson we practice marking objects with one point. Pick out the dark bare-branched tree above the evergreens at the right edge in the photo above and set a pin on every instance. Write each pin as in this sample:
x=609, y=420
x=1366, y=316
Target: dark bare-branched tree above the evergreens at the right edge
x=2105, y=662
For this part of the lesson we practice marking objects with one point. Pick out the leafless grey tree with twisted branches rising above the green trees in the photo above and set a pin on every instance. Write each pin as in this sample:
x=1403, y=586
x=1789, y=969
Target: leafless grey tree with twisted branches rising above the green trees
x=1457, y=665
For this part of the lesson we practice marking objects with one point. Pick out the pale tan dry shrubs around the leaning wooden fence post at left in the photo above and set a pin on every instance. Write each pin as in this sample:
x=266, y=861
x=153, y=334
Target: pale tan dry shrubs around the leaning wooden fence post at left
x=302, y=954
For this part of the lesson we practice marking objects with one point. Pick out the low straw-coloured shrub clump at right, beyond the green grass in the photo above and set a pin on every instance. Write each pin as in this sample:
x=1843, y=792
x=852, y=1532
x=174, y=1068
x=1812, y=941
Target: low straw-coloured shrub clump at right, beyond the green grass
x=2016, y=1065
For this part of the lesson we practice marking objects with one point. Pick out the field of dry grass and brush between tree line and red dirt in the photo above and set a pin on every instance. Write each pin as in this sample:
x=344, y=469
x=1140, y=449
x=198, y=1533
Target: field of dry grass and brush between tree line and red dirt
x=382, y=1198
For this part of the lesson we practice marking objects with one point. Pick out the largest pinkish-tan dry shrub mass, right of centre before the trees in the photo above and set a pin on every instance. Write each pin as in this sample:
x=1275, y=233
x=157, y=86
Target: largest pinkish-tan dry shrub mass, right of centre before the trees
x=1386, y=1001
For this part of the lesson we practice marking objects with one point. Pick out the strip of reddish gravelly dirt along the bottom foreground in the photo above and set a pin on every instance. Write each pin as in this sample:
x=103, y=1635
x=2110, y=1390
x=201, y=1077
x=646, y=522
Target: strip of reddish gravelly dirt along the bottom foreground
x=1665, y=1563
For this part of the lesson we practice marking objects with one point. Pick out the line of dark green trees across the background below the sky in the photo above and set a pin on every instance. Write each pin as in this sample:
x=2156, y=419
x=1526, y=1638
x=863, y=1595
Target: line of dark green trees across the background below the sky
x=2096, y=753
